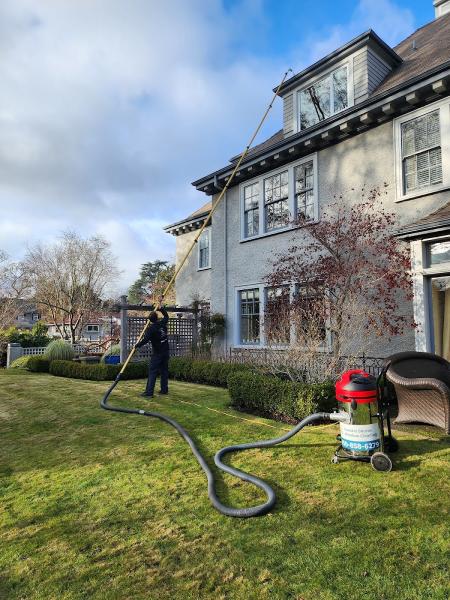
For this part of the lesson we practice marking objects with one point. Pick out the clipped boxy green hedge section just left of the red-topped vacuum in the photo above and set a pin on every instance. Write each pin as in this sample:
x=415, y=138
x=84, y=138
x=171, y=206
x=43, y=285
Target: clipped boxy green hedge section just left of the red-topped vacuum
x=272, y=397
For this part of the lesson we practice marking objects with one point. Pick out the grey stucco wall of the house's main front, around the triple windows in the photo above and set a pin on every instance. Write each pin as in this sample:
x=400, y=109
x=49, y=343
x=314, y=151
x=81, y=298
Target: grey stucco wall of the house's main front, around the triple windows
x=366, y=159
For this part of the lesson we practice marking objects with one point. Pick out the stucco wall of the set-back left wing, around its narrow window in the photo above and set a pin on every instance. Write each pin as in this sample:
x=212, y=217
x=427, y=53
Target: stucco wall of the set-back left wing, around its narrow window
x=191, y=284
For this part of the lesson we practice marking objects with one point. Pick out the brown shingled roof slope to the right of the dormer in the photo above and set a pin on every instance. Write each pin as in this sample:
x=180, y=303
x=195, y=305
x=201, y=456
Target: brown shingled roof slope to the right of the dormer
x=433, y=49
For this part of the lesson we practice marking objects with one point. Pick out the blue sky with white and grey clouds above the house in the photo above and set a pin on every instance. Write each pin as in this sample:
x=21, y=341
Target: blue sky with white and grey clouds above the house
x=110, y=109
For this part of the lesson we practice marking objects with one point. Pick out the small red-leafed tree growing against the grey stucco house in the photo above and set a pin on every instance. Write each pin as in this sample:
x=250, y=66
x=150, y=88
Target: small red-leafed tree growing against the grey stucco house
x=353, y=270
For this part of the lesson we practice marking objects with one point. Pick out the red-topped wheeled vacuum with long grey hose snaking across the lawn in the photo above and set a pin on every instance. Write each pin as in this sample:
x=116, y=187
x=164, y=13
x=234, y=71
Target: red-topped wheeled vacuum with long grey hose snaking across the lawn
x=361, y=416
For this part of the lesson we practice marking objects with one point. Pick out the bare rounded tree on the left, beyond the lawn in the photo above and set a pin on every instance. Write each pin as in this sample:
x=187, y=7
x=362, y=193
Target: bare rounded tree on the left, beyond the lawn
x=69, y=278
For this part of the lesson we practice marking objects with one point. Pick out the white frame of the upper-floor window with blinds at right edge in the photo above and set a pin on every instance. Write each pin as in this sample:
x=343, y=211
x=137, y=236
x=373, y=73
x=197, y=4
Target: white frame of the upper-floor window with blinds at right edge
x=444, y=119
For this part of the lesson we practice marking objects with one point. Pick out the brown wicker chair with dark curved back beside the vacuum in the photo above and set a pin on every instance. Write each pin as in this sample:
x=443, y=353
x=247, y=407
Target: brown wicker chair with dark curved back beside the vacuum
x=422, y=385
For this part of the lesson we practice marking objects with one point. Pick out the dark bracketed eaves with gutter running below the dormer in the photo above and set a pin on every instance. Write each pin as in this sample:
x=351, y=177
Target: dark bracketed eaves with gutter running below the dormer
x=375, y=110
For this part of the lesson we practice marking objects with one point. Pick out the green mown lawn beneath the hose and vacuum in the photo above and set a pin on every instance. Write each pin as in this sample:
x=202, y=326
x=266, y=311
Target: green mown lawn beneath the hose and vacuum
x=97, y=505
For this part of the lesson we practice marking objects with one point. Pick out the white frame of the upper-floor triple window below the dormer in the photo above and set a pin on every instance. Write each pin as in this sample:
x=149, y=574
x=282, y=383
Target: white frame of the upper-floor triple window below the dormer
x=291, y=197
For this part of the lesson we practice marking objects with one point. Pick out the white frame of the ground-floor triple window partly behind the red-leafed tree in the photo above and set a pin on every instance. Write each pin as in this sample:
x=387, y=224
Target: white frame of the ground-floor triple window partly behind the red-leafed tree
x=326, y=348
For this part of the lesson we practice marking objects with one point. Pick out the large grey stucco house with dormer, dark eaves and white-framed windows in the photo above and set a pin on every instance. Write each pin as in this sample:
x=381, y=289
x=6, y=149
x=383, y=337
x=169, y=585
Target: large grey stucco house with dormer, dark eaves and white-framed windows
x=366, y=114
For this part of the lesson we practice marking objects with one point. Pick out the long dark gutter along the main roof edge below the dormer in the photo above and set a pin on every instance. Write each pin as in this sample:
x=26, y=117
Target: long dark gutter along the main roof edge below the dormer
x=360, y=107
